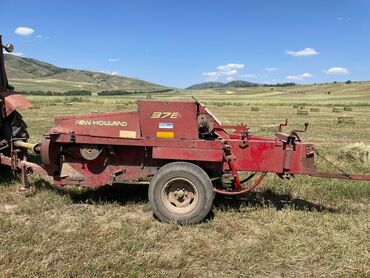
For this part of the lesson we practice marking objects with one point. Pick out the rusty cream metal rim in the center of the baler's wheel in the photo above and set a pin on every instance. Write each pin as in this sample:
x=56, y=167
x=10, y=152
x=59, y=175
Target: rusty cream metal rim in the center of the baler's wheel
x=180, y=195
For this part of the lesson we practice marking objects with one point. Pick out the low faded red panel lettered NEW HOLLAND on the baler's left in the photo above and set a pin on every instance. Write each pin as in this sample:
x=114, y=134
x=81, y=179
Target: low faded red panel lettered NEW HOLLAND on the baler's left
x=107, y=125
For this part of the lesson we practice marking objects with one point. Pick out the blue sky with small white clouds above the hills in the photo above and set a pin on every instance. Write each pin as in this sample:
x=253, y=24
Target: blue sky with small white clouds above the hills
x=179, y=43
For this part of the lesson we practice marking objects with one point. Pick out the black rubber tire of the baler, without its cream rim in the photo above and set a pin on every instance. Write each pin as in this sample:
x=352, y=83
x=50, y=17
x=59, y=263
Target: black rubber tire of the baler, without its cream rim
x=197, y=176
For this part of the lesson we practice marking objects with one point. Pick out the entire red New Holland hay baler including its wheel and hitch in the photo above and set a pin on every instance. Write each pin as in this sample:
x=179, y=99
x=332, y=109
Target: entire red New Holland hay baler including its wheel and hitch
x=185, y=150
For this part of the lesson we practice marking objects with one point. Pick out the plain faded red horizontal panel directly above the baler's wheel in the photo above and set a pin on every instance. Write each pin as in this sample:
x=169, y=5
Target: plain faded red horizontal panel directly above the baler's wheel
x=187, y=154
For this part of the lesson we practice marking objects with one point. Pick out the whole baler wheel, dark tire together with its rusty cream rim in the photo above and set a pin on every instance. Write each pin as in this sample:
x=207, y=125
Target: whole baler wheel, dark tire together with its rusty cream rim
x=181, y=192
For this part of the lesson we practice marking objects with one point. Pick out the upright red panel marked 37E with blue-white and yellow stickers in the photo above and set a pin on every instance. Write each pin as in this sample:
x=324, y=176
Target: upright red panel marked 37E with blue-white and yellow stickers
x=164, y=119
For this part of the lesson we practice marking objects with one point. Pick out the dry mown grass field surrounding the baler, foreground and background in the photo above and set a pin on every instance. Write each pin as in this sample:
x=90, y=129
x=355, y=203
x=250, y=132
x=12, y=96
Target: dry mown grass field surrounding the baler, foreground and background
x=305, y=227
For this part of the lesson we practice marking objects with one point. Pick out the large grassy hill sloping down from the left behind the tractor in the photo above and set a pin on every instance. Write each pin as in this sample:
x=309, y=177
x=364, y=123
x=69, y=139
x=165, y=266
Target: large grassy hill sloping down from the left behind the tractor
x=31, y=73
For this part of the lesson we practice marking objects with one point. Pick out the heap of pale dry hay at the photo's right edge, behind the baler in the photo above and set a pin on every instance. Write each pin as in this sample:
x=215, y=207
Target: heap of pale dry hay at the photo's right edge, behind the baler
x=357, y=152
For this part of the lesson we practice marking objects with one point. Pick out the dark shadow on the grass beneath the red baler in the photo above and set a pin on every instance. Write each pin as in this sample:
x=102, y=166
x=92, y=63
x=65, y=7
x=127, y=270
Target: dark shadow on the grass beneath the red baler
x=138, y=193
